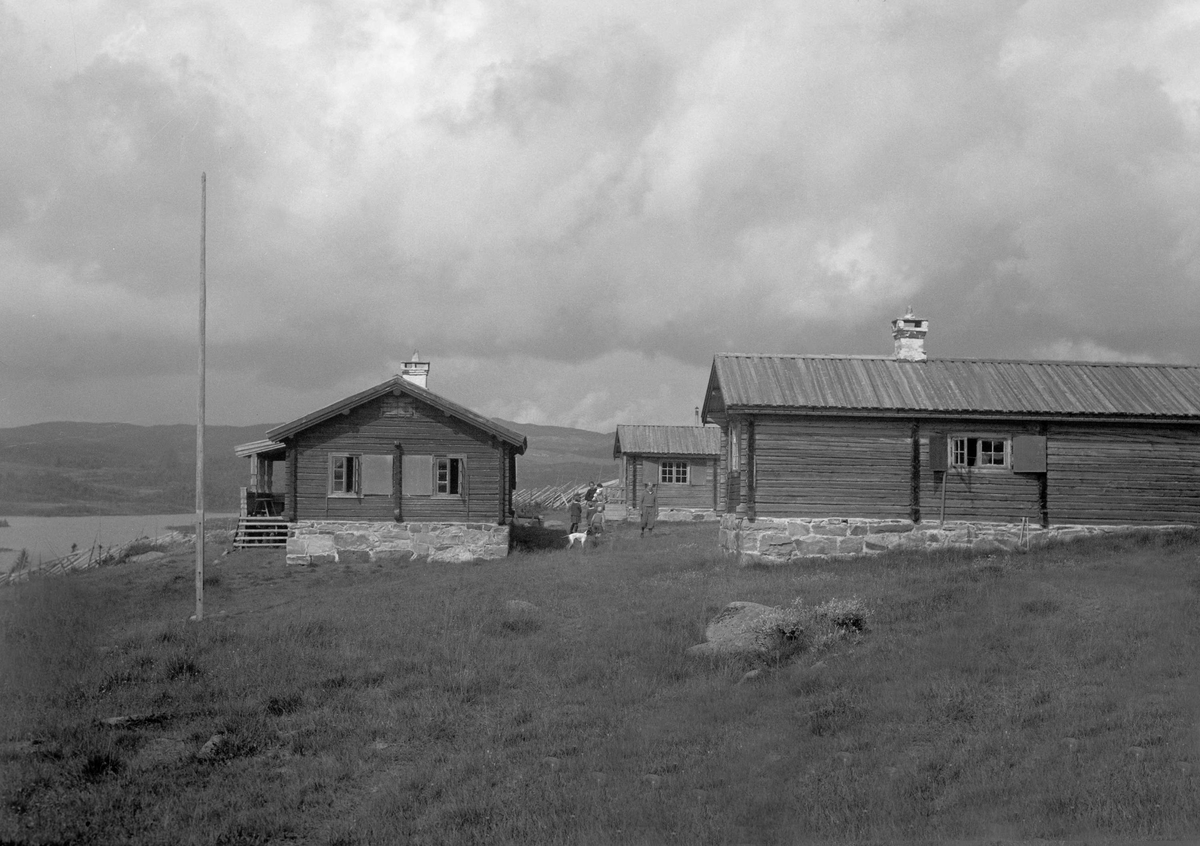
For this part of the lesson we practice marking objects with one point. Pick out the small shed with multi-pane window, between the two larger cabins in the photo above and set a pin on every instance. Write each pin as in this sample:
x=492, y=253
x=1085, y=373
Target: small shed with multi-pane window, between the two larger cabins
x=681, y=460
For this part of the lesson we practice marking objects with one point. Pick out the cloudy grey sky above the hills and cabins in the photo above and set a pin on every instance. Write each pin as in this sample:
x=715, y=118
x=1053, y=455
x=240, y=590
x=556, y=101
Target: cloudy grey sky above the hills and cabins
x=569, y=206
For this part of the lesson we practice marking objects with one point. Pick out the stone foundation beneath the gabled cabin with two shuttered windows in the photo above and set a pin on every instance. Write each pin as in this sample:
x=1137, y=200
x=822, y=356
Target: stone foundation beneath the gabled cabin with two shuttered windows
x=332, y=542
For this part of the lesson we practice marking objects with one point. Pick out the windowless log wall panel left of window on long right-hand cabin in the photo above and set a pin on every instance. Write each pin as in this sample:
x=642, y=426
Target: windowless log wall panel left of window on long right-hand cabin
x=832, y=467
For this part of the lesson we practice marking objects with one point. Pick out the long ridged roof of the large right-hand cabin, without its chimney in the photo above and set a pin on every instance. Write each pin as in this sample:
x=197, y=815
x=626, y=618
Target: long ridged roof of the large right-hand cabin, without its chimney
x=958, y=386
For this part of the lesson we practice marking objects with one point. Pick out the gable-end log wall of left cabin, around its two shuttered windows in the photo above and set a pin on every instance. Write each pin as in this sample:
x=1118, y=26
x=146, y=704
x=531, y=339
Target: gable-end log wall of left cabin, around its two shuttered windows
x=368, y=430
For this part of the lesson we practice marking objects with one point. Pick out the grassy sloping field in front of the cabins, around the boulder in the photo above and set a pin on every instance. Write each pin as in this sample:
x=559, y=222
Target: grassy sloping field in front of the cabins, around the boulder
x=1047, y=695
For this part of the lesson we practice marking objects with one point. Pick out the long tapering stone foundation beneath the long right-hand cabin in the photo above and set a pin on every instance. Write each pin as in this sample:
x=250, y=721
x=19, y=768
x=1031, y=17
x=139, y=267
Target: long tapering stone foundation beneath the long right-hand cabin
x=777, y=541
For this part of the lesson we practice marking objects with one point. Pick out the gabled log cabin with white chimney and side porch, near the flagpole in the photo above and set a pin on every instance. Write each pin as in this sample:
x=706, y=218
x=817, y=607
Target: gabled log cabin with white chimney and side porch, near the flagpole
x=394, y=454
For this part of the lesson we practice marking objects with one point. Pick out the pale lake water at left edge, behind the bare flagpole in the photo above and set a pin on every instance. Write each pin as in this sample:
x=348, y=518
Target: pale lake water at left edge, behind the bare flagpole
x=50, y=538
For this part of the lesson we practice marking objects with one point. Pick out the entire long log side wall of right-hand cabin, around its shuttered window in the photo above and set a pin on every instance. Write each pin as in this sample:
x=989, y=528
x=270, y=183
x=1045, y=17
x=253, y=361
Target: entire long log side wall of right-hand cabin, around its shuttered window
x=1096, y=473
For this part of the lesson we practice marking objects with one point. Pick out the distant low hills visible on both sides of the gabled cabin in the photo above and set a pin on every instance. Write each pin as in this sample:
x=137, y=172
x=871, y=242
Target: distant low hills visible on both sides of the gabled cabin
x=76, y=469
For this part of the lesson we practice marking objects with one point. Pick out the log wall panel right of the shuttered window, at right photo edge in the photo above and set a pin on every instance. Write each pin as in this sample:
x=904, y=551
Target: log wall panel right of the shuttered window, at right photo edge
x=1123, y=475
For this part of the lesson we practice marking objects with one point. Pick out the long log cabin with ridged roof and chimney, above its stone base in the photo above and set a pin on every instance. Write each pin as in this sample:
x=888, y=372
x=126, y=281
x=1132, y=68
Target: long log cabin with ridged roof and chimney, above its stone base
x=920, y=440
